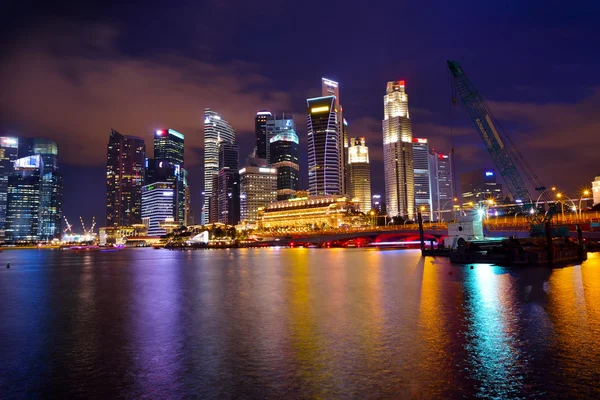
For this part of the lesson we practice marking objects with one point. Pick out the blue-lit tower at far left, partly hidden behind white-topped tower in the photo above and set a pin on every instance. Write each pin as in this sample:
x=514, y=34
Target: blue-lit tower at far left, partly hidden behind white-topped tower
x=51, y=195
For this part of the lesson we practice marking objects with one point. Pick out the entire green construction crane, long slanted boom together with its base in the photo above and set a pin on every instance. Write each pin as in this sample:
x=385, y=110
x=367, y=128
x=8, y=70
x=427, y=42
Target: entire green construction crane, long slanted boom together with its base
x=506, y=156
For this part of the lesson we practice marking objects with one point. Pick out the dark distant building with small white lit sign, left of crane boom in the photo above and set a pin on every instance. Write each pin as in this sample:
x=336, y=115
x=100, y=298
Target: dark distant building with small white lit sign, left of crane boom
x=479, y=187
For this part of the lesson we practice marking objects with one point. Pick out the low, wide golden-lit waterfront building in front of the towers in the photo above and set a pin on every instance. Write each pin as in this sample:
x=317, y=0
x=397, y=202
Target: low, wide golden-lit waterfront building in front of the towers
x=309, y=213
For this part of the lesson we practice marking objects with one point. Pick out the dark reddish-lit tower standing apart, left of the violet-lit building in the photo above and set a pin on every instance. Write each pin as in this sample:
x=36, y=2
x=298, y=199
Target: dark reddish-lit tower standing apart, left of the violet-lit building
x=125, y=175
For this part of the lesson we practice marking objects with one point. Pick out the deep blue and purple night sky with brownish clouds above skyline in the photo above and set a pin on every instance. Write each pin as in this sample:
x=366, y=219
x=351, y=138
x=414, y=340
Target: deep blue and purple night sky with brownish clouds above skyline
x=72, y=74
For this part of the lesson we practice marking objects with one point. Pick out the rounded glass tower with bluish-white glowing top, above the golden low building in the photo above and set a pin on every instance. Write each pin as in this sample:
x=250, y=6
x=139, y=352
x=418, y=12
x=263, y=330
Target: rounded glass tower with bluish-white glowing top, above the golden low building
x=284, y=149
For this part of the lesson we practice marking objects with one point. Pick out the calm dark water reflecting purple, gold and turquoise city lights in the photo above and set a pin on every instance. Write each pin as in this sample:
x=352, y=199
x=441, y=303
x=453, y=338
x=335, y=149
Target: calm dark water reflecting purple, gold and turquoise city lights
x=294, y=323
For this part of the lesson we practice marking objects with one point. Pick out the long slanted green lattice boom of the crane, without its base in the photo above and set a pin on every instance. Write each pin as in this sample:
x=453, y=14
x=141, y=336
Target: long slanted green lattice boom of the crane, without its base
x=505, y=158
